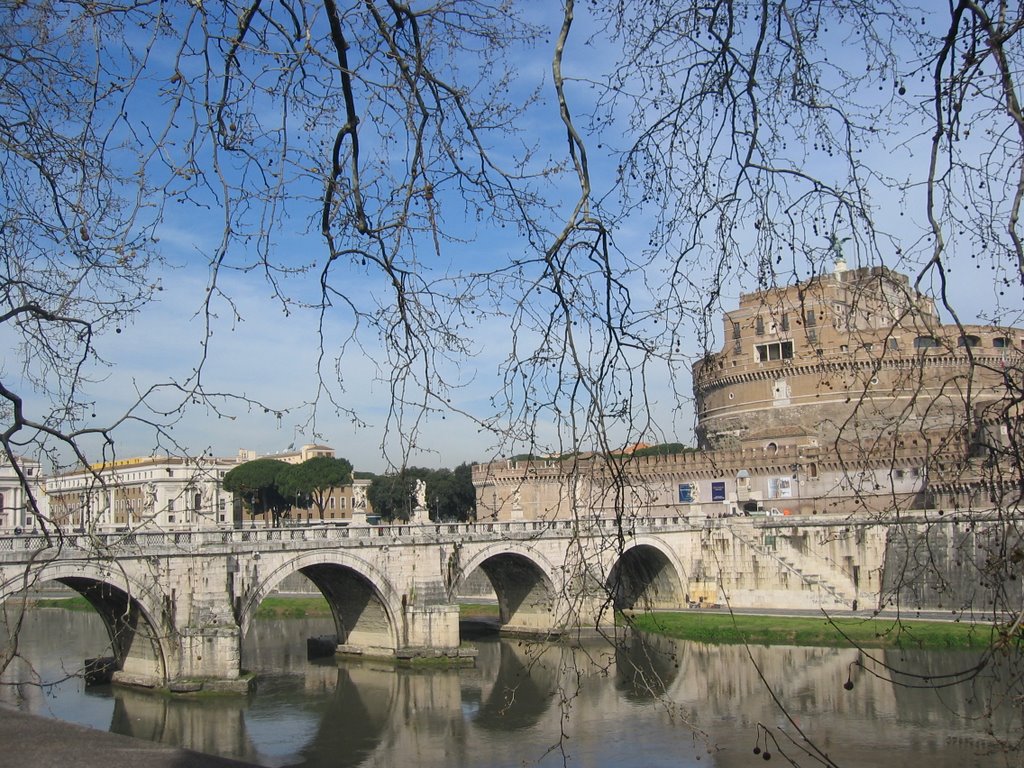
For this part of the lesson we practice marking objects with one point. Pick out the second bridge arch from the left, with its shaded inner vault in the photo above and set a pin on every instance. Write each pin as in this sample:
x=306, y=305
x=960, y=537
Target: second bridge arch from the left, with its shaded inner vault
x=368, y=611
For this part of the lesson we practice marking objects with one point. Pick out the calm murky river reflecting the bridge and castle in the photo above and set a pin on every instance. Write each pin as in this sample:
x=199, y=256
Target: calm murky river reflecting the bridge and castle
x=660, y=703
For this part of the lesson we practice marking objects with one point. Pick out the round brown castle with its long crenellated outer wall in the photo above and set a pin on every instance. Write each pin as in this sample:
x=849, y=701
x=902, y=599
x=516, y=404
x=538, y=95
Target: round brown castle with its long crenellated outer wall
x=843, y=394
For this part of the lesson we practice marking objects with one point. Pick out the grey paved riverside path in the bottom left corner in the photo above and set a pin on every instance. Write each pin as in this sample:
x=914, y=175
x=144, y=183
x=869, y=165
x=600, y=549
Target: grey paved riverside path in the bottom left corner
x=35, y=742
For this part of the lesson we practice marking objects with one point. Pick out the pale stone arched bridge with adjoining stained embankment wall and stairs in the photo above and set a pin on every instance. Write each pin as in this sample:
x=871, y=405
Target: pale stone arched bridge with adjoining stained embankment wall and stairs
x=178, y=605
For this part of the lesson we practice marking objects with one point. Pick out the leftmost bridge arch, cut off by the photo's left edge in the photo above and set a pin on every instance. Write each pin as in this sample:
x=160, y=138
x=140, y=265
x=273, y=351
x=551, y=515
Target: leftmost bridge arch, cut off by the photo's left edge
x=134, y=615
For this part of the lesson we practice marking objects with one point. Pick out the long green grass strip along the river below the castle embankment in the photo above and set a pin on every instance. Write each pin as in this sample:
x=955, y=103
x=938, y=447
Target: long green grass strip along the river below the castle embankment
x=875, y=633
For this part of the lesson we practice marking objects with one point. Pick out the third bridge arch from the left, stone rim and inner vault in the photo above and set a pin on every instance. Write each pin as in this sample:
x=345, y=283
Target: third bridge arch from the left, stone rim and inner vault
x=525, y=582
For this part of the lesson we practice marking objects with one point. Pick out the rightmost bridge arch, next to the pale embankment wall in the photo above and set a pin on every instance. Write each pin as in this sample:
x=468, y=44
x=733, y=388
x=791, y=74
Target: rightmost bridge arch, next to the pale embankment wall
x=648, y=574
